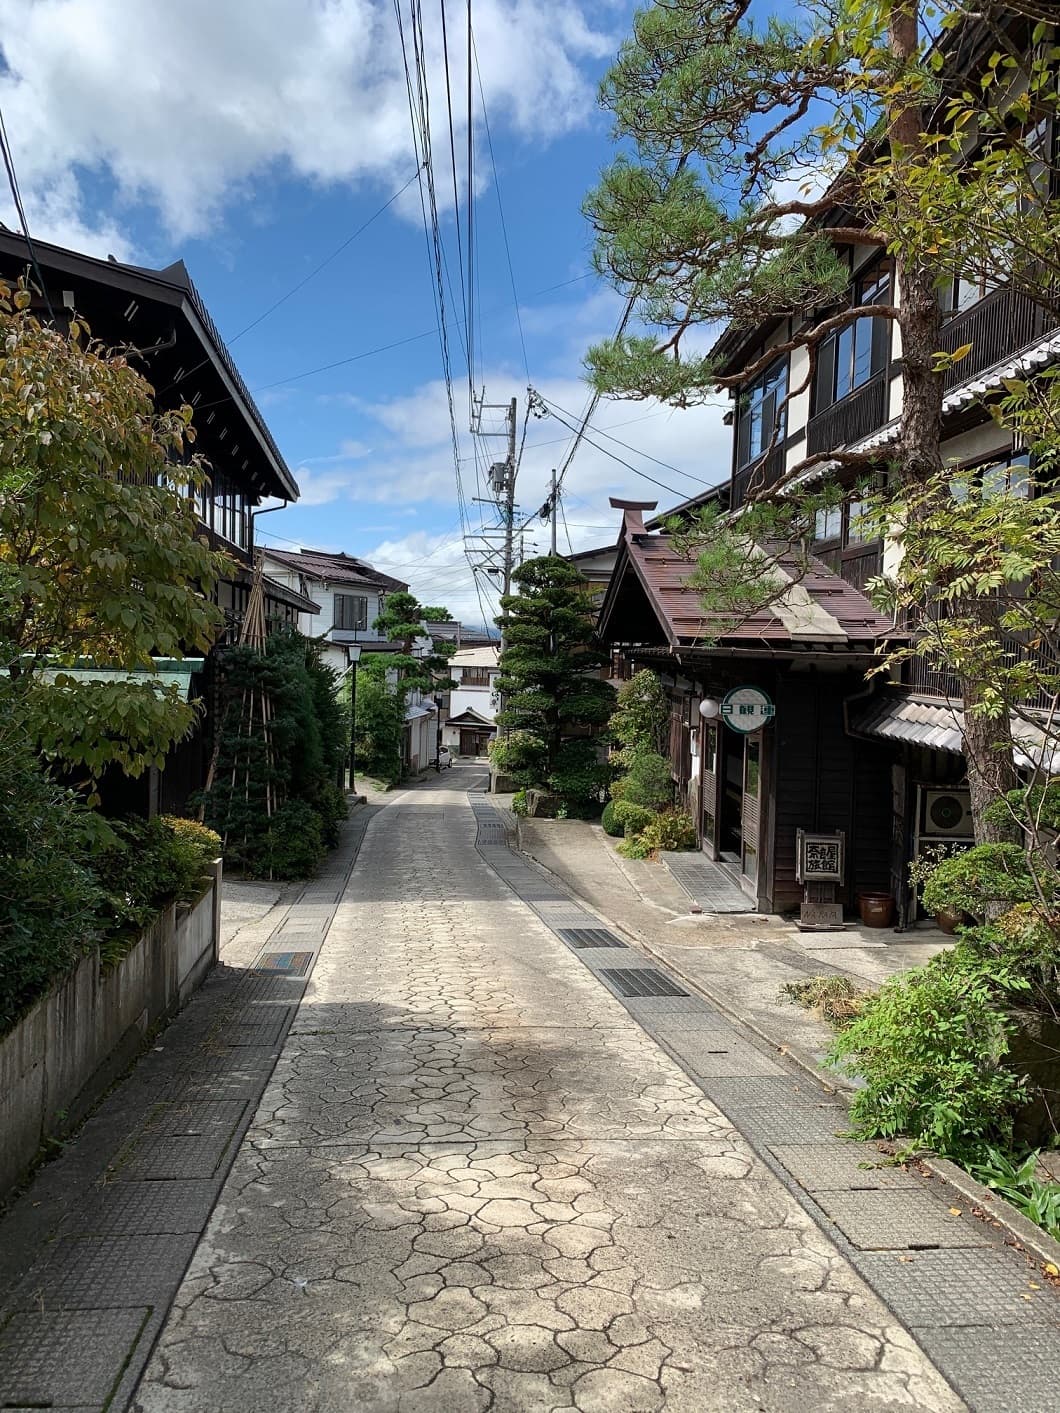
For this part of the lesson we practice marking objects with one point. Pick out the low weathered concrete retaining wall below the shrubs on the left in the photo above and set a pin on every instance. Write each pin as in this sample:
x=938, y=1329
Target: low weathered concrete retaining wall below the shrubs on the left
x=81, y=1036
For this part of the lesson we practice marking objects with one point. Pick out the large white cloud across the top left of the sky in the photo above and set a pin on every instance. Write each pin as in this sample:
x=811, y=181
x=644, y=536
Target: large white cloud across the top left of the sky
x=189, y=105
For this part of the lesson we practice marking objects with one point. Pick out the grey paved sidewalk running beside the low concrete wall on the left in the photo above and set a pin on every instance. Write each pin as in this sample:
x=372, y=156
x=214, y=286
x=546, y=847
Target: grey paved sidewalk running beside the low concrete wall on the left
x=94, y=1253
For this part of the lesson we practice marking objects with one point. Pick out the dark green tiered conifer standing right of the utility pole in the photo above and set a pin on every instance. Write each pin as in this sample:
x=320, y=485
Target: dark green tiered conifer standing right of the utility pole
x=550, y=675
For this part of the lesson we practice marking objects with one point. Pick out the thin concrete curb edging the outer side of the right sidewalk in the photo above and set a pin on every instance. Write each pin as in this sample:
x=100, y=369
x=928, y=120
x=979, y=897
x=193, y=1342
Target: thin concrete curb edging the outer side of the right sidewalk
x=1024, y=1233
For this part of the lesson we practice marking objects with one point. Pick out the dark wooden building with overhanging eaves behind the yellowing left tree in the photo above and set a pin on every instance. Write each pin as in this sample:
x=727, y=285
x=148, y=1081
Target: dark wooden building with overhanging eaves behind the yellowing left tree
x=159, y=319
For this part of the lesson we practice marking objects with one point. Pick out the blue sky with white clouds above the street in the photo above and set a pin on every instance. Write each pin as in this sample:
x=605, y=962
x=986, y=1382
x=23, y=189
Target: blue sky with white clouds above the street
x=255, y=139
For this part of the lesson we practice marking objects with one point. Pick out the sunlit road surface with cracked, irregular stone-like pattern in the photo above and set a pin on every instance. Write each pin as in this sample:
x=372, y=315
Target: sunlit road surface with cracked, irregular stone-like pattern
x=476, y=1183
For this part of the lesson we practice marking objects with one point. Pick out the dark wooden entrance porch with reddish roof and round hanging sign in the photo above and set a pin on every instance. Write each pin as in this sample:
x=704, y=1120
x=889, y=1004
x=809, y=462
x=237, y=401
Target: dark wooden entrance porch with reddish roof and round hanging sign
x=753, y=791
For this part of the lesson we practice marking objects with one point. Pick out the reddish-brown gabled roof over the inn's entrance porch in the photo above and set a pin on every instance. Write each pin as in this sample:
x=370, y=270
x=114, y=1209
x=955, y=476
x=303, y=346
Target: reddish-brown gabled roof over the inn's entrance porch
x=651, y=604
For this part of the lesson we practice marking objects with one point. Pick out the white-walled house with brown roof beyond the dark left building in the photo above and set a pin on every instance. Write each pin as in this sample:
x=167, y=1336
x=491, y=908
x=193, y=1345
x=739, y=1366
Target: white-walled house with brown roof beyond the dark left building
x=348, y=598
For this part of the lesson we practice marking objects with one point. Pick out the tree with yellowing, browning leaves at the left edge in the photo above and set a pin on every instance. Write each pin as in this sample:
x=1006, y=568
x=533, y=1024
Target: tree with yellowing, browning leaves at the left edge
x=100, y=556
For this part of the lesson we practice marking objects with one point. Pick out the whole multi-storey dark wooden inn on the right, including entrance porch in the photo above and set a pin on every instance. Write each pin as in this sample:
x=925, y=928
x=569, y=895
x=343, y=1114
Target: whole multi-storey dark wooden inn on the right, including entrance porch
x=876, y=761
